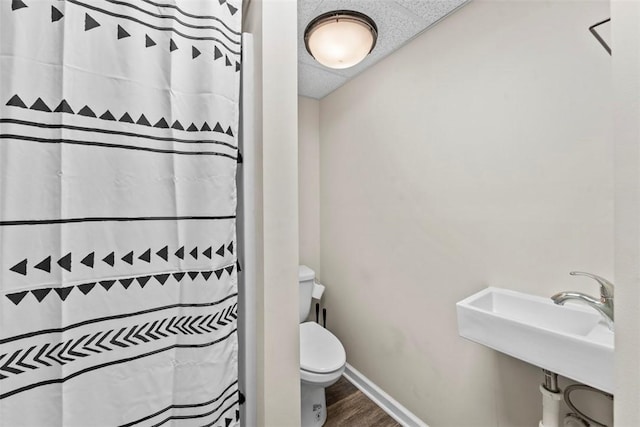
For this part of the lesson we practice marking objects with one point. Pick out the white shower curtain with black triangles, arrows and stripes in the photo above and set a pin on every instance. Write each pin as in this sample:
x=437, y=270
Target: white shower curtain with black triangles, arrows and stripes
x=118, y=152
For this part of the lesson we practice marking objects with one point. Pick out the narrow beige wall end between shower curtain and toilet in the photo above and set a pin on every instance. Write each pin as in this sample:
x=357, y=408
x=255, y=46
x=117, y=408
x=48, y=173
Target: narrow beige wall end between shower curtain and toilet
x=273, y=23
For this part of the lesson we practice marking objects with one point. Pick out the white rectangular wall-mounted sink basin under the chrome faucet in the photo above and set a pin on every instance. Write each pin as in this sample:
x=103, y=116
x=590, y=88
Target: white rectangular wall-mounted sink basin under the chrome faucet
x=570, y=340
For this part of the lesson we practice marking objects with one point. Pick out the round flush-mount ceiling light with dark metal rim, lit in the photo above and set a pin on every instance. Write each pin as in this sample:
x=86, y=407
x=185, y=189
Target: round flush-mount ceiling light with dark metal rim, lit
x=340, y=39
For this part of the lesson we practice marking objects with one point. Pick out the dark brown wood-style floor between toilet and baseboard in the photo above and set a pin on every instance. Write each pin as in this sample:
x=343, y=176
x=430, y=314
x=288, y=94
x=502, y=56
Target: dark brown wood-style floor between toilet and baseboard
x=349, y=407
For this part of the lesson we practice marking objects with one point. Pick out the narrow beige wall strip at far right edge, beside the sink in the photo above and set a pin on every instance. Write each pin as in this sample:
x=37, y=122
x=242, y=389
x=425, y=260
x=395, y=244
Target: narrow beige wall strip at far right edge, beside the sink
x=626, y=73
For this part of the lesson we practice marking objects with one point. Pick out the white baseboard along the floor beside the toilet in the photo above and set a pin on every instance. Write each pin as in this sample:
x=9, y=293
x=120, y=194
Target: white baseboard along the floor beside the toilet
x=382, y=399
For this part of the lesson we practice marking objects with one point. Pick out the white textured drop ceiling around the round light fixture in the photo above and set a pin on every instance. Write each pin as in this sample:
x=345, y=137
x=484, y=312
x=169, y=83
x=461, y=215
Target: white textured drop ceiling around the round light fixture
x=398, y=22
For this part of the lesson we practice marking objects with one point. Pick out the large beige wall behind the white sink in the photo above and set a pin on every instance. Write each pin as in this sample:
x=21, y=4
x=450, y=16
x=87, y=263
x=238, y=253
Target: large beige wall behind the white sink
x=479, y=154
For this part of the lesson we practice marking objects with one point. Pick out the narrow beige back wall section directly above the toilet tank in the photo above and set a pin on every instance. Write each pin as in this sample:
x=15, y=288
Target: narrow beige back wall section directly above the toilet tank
x=309, y=181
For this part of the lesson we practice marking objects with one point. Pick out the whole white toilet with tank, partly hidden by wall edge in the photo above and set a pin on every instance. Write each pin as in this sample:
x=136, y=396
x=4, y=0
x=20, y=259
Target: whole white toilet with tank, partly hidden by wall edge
x=322, y=356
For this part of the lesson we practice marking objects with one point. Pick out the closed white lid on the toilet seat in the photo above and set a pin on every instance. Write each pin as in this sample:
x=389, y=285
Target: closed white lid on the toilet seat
x=320, y=350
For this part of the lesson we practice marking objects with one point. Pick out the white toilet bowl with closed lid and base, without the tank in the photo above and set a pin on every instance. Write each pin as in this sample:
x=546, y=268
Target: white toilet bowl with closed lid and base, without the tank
x=322, y=362
